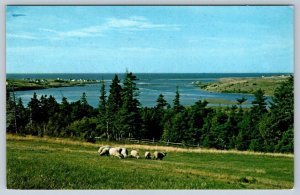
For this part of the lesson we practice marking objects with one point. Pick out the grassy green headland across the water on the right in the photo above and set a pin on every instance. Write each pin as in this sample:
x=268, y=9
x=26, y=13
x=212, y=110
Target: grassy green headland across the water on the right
x=244, y=85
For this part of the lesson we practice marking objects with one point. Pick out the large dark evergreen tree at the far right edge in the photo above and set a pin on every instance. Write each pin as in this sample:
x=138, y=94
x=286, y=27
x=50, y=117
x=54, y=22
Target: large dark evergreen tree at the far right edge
x=276, y=127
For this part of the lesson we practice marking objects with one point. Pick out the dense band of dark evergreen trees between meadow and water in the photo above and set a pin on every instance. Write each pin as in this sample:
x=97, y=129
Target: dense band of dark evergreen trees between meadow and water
x=262, y=127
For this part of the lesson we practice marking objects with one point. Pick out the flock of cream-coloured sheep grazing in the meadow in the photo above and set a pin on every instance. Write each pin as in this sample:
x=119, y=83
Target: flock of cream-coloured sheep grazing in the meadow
x=123, y=153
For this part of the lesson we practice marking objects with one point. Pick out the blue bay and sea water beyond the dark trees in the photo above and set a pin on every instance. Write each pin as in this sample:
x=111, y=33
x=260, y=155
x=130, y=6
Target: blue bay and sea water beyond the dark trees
x=150, y=86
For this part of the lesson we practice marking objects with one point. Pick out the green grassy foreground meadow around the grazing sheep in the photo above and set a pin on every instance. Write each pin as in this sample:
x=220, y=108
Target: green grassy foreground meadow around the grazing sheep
x=48, y=163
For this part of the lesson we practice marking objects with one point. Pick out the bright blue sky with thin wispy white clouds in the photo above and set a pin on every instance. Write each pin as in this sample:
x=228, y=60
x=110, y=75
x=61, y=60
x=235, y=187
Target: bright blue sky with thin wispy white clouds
x=149, y=39
